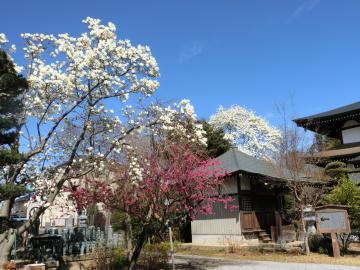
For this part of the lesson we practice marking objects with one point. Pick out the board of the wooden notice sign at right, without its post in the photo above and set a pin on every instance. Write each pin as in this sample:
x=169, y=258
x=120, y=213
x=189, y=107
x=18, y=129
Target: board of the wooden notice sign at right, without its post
x=332, y=220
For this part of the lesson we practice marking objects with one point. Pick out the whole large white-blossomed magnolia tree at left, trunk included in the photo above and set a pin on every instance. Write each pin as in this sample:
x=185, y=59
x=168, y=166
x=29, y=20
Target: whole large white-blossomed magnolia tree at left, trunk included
x=87, y=94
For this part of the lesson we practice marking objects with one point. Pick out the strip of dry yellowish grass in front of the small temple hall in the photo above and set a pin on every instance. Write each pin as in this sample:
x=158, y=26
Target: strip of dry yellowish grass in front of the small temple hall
x=260, y=254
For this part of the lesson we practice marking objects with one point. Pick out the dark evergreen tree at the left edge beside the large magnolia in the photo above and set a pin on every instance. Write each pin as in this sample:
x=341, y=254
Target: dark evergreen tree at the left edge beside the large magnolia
x=12, y=86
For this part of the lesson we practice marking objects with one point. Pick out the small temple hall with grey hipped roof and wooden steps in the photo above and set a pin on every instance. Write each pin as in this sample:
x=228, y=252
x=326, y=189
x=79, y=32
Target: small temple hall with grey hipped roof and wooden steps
x=257, y=188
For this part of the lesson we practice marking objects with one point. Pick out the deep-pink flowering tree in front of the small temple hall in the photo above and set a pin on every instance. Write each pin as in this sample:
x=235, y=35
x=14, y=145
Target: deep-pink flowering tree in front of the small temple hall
x=169, y=184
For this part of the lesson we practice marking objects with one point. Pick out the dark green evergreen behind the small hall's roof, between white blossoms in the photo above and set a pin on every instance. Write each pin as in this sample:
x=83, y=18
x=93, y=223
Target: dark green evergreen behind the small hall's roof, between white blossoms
x=216, y=143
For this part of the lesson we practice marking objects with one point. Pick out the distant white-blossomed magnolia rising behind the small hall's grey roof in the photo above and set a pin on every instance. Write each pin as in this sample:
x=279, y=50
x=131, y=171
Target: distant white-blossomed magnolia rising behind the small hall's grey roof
x=252, y=134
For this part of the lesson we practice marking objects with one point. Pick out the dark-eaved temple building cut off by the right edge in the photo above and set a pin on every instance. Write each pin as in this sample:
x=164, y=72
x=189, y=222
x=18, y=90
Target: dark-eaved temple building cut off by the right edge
x=343, y=124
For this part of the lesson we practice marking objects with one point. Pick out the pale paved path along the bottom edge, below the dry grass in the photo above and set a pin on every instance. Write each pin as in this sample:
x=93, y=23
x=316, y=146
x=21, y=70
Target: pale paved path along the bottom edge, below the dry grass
x=188, y=262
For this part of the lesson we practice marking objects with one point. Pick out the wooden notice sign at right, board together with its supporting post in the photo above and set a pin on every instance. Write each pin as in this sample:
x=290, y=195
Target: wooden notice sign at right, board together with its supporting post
x=333, y=219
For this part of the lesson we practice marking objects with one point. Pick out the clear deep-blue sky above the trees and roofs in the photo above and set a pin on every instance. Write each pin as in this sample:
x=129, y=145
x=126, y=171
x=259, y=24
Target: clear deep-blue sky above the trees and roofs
x=252, y=53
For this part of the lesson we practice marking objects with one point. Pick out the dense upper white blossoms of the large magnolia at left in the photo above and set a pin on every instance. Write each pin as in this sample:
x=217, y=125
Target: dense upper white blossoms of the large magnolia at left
x=95, y=64
